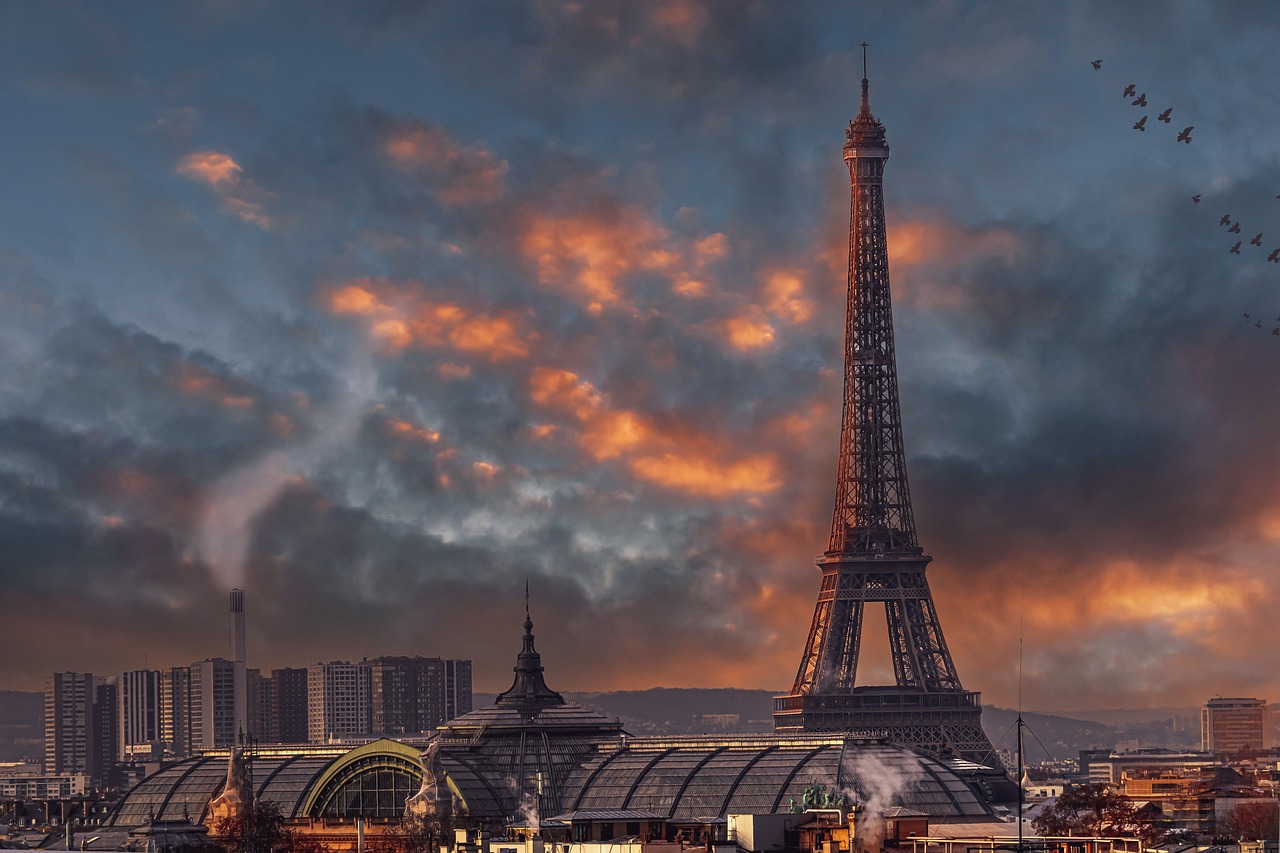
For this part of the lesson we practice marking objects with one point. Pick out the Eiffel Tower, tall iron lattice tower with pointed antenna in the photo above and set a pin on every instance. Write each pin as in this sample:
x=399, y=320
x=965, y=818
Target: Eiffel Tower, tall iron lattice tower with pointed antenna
x=874, y=554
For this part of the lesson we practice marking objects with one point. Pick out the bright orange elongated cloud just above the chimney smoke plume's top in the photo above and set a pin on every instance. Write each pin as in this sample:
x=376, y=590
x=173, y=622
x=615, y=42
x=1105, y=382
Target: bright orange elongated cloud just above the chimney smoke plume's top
x=400, y=317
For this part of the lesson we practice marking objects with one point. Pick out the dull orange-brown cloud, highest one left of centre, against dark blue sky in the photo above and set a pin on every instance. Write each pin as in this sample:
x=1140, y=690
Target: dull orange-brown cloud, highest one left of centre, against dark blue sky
x=465, y=175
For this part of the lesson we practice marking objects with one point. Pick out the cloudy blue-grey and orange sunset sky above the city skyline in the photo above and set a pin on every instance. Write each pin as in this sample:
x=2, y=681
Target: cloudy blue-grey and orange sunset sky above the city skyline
x=382, y=309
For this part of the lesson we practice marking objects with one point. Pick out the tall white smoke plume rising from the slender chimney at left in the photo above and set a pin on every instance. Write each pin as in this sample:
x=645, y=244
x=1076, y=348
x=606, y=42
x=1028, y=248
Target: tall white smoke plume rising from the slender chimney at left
x=235, y=503
